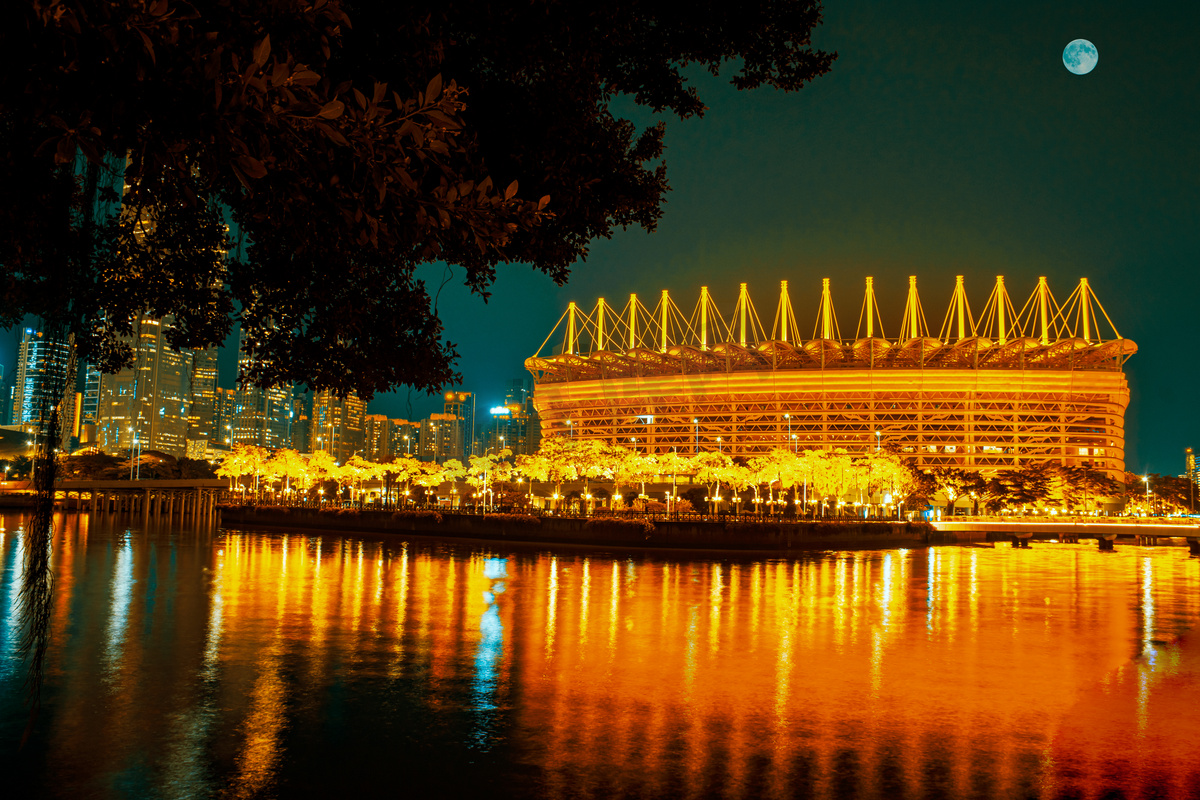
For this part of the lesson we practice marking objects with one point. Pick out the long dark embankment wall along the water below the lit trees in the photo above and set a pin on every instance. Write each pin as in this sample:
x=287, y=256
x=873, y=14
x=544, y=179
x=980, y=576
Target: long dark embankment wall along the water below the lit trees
x=685, y=534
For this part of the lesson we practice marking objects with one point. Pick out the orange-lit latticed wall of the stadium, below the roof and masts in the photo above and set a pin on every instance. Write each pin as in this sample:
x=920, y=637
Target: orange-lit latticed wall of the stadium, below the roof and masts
x=974, y=419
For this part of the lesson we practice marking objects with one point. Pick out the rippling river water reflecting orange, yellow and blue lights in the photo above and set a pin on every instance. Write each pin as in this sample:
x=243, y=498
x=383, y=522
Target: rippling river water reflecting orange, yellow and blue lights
x=195, y=664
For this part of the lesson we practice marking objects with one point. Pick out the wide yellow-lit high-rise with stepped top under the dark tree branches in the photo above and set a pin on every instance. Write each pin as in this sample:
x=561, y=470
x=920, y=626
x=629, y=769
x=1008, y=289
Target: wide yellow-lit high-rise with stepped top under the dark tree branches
x=148, y=402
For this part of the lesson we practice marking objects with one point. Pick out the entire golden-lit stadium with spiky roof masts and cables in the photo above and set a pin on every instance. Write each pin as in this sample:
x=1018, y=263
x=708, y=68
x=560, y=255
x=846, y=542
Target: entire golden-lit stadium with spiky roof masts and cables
x=1045, y=383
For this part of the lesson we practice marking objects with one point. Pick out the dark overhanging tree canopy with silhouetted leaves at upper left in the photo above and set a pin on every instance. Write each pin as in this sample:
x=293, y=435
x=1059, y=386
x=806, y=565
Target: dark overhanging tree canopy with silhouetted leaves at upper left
x=343, y=145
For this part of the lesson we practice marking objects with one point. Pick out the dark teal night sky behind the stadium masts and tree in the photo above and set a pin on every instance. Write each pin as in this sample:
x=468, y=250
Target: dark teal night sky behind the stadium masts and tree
x=949, y=140
